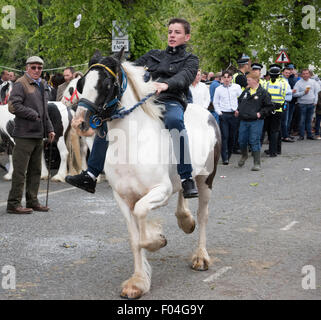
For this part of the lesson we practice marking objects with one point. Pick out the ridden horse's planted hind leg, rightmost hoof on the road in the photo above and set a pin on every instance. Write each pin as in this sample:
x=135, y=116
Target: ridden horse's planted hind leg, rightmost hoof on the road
x=201, y=259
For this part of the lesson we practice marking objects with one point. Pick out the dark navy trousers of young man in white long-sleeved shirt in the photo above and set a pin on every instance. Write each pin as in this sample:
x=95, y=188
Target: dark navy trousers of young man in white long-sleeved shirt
x=228, y=126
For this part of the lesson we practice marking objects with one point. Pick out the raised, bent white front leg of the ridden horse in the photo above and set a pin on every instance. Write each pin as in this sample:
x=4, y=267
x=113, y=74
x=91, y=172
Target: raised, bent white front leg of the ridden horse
x=151, y=237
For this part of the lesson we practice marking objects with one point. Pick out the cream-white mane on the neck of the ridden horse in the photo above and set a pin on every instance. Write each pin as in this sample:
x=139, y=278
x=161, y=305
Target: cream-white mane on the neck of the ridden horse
x=135, y=76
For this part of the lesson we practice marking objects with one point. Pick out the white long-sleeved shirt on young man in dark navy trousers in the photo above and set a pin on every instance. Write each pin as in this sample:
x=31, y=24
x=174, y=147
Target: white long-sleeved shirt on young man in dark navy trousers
x=225, y=98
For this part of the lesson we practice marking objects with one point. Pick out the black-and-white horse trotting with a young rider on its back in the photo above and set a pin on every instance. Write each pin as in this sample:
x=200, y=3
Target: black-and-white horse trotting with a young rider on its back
x=139, y=166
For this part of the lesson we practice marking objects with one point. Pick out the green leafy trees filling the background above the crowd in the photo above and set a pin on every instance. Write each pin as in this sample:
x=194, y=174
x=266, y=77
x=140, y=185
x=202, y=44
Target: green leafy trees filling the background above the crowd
x=222, y=30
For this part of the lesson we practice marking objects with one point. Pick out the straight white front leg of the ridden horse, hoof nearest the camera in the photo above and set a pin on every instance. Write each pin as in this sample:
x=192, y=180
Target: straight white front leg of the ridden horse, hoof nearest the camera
x=139, y=283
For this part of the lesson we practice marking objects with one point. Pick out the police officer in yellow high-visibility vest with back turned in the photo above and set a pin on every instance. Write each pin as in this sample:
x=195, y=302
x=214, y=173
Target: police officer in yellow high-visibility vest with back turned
x=277, y=88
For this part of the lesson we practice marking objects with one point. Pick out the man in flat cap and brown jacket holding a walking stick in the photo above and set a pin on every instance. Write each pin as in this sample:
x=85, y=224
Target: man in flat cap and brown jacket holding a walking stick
x=28, y=102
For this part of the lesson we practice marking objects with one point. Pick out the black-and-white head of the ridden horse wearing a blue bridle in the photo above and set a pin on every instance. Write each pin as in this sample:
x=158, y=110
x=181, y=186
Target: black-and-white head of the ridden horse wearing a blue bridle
x=101, y=89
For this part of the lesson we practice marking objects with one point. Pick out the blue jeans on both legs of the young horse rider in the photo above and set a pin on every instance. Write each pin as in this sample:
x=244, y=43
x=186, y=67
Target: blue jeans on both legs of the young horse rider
x=174, y=119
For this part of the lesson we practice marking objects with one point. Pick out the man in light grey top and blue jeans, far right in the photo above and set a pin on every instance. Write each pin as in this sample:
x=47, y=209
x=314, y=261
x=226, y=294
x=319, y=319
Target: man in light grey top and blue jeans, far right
x=306, y=90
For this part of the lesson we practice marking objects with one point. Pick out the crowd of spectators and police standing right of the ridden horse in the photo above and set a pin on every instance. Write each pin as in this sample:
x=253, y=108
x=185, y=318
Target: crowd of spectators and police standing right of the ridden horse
x=248, y=105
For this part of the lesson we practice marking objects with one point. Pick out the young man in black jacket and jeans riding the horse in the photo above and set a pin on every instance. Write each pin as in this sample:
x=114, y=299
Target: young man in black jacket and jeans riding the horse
x=174, y=69
